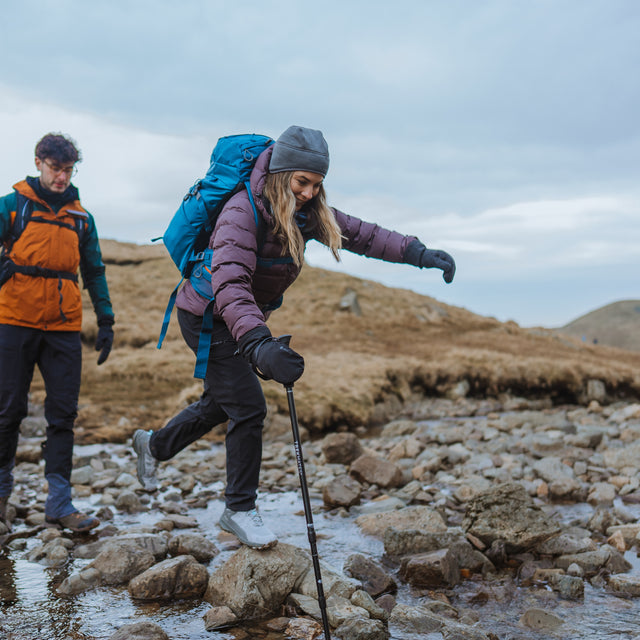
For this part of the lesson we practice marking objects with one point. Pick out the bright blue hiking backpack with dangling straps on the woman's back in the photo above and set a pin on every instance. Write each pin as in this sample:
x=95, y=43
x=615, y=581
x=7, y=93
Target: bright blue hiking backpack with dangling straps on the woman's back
x=187, y=236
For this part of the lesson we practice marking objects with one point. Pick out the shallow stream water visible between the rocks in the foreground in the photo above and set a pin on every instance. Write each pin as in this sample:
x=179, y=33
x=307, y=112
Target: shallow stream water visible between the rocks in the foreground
x=31, y=609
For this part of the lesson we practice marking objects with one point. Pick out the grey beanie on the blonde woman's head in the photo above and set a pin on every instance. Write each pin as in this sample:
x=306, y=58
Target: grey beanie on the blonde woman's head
x=300, y=149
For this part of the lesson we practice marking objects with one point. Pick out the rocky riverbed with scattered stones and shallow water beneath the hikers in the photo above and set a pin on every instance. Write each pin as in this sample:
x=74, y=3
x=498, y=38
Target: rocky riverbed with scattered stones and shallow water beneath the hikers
x=492, y=519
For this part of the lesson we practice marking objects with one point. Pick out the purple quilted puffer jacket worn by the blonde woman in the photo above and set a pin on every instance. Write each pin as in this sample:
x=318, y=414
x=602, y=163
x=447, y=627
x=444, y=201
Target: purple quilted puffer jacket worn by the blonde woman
x=245, y=281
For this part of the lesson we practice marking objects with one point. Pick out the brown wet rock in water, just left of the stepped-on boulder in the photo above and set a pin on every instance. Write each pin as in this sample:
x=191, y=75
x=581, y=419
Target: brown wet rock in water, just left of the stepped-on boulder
x=179, y=577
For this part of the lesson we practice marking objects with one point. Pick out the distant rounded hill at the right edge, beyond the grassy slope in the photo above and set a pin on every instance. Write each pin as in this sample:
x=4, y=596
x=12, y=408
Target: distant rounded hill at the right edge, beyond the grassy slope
x=615, y=325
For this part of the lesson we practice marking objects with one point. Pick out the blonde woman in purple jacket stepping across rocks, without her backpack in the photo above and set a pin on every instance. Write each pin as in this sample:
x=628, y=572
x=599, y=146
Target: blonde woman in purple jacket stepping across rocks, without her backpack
x=287, y=188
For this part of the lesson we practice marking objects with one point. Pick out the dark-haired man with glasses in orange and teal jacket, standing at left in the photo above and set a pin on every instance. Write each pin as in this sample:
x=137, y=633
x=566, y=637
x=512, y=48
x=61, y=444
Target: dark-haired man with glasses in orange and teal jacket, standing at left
x=46, y=236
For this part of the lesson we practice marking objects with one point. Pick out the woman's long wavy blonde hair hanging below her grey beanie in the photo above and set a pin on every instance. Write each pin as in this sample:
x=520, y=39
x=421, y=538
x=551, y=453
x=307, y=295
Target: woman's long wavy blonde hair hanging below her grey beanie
x=283, y=206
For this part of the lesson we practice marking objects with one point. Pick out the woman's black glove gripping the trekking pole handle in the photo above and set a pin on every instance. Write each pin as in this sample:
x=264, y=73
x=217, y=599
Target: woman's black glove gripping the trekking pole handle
x=271, y=357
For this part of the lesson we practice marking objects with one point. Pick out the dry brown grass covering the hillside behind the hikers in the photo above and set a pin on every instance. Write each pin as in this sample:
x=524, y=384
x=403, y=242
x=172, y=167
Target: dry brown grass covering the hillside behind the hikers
x=358, y=368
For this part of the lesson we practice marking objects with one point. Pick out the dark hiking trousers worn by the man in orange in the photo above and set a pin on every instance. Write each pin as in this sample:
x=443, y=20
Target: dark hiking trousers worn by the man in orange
x=58, y=355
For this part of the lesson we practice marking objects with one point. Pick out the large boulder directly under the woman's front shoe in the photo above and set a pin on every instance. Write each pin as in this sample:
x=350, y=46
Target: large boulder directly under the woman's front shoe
x=255, y=583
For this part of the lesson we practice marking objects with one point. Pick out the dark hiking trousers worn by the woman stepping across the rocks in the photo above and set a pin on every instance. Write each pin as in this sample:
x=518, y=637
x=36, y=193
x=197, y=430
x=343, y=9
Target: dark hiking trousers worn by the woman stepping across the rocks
x=231, y=392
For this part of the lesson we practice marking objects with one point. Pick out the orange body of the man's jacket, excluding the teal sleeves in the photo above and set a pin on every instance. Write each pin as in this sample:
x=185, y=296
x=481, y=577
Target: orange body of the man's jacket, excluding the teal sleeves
x=49, y=241
